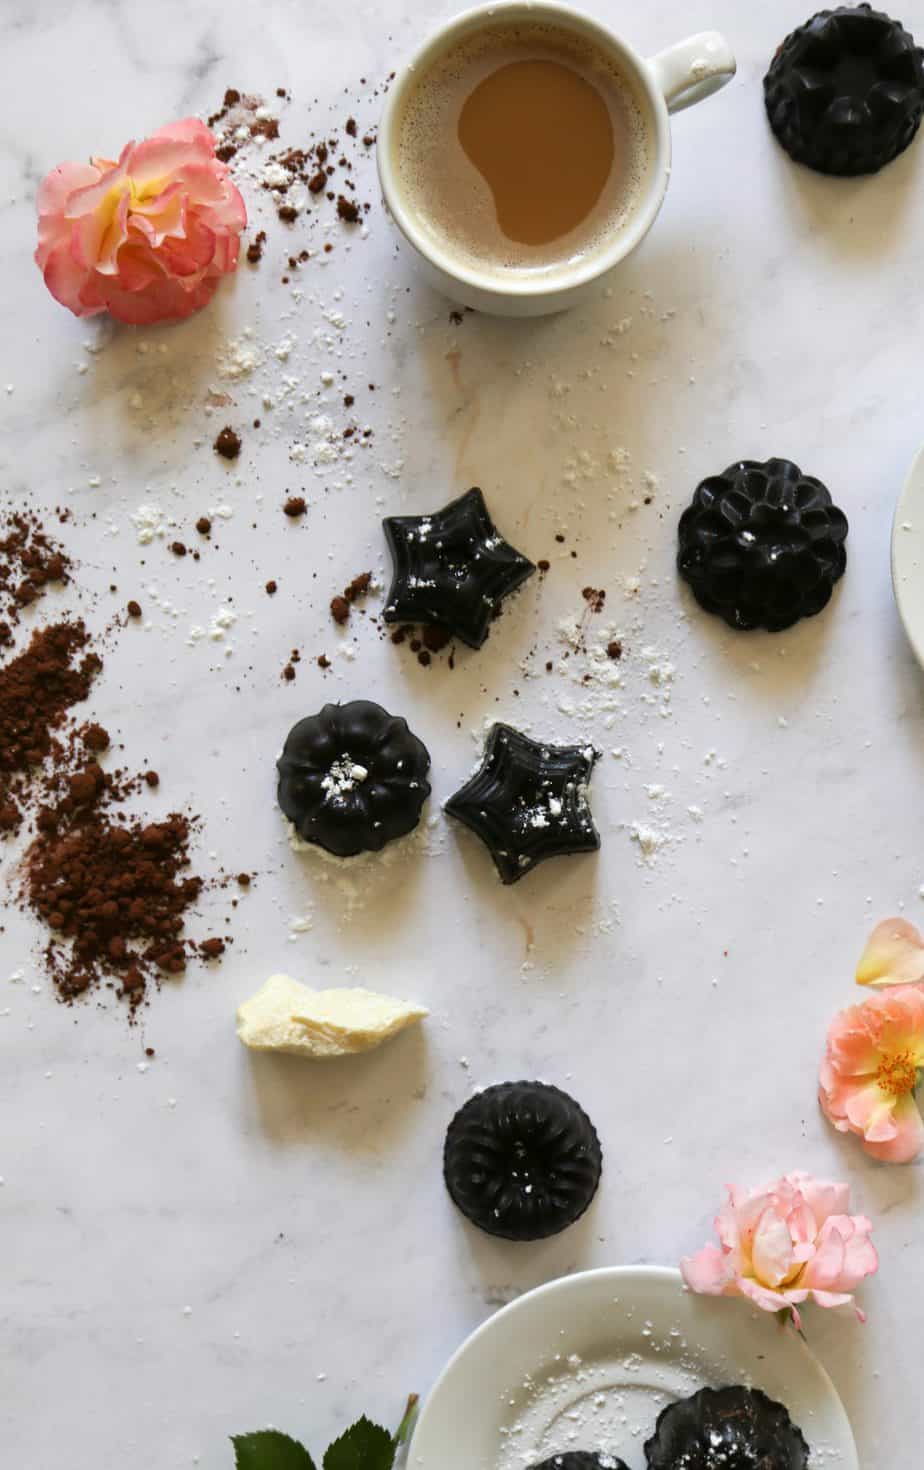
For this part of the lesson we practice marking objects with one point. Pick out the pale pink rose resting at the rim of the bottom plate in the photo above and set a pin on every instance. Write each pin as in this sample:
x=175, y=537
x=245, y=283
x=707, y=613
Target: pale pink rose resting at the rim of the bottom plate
x=784, y=1244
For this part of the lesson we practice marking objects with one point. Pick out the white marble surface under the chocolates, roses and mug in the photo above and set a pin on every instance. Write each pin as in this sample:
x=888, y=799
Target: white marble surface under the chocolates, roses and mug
x=224, y=1243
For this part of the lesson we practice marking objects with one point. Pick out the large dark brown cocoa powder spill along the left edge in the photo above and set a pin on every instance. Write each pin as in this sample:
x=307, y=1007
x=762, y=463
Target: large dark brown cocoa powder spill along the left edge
x=112, y=887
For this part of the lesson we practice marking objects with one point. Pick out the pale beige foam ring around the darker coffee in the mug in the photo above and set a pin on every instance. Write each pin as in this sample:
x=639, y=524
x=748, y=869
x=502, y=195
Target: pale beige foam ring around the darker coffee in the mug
x=452, y=199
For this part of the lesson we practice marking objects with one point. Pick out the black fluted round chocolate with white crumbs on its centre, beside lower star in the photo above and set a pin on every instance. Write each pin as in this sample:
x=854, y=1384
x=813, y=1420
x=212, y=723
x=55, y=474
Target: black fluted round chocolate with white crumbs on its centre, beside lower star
x=353, y=778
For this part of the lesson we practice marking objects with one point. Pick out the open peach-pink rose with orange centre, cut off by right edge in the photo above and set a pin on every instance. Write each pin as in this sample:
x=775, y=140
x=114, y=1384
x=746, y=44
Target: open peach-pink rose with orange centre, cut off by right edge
x=870, y=1071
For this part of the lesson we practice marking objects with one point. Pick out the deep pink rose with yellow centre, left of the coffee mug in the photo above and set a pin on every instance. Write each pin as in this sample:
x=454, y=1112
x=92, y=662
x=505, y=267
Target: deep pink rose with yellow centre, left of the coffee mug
x=146, y=239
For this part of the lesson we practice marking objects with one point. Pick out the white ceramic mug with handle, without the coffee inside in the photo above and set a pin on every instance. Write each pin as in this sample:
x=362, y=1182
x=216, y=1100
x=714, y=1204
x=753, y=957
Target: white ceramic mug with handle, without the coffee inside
x=666, y=83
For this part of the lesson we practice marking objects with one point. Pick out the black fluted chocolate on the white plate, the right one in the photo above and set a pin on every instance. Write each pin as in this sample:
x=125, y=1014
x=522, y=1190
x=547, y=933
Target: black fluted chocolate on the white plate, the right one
x=726, y=1430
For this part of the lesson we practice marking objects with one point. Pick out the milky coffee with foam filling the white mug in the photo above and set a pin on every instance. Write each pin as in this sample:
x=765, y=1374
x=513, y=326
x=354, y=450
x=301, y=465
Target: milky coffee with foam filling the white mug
x=522, y=148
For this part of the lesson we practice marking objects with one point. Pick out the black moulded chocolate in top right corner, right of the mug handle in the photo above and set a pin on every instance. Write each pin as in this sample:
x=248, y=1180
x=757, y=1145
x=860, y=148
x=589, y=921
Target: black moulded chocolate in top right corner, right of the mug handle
x=845, y=92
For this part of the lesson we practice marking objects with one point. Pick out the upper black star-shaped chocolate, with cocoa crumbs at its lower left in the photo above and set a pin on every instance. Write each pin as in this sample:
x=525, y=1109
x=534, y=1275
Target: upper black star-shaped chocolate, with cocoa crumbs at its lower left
x=452, y=568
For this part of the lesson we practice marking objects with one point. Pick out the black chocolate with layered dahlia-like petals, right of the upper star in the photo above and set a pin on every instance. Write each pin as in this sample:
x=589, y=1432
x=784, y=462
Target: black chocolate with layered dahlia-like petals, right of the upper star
x=763, y=545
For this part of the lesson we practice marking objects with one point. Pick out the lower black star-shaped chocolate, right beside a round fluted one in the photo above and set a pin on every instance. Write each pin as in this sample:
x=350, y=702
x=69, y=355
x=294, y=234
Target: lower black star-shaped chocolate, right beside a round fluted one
x=528, y=802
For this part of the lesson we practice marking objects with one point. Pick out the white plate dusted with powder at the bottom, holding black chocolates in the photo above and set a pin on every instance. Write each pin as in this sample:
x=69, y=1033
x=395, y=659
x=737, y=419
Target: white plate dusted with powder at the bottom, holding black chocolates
x=590, y=1362
